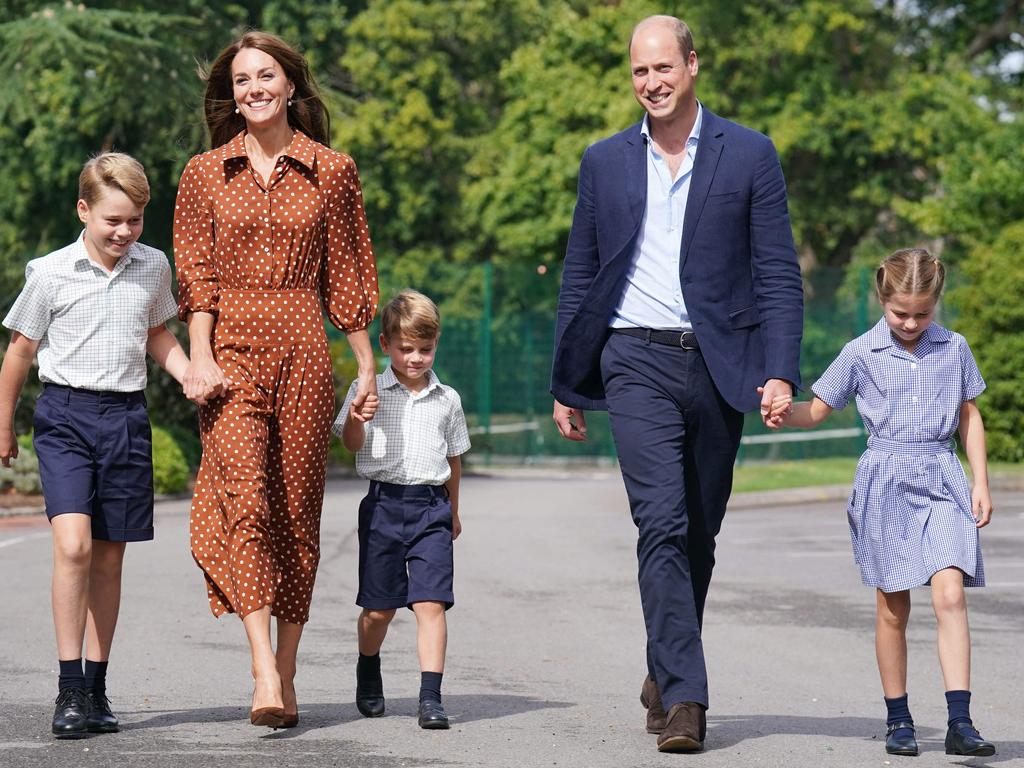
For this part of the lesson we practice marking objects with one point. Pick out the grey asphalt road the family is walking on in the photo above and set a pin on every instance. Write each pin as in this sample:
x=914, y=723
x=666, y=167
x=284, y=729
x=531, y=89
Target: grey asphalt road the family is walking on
x=546, y=650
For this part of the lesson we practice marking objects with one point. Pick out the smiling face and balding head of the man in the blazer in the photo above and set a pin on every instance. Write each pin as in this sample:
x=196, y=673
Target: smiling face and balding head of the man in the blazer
x=663, y=78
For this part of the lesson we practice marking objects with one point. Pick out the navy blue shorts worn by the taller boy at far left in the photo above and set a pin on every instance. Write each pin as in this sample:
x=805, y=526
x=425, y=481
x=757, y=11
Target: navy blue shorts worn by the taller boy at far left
x=96, y=457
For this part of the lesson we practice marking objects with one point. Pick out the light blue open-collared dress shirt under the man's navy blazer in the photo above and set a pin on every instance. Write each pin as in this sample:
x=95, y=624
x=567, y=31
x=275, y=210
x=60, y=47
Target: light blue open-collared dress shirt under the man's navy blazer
x=654, y=296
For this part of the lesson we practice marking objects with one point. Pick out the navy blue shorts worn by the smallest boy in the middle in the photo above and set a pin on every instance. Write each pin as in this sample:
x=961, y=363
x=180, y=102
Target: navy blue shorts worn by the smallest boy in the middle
x=405, y=547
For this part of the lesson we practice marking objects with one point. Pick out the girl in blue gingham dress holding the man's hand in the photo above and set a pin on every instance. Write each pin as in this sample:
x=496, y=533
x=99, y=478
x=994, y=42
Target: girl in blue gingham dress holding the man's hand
x=914, y=520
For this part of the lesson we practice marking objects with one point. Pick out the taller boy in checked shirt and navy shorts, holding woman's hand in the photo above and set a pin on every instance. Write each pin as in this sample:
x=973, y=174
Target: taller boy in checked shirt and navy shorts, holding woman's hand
x=93, y=311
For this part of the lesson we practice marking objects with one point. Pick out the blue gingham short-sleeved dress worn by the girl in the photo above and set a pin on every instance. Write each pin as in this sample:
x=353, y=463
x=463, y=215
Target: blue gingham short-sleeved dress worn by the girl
x=910, y=510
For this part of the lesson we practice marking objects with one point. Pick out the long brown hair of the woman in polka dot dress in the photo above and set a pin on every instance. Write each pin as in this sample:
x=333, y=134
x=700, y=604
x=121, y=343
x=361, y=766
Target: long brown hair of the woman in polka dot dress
x=307, y=113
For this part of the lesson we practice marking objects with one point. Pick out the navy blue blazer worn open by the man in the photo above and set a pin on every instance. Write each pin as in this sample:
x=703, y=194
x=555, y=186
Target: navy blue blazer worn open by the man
x=739, y=270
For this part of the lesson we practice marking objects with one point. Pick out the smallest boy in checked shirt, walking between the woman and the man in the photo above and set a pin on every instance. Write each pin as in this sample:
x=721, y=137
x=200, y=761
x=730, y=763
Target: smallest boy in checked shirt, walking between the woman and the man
x=411, y=455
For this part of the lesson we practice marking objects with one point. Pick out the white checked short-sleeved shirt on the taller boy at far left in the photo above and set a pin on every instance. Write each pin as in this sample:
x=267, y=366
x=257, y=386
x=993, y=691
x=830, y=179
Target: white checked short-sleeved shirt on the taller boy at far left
x=93, y=326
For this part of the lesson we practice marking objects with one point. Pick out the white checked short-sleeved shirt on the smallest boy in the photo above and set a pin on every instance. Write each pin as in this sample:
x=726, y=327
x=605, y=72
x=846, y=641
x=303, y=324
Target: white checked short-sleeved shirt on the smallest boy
x=412, y=435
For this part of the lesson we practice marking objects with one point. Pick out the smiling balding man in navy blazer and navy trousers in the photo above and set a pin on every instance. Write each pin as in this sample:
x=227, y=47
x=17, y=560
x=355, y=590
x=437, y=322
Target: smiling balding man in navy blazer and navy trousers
x=681, y=308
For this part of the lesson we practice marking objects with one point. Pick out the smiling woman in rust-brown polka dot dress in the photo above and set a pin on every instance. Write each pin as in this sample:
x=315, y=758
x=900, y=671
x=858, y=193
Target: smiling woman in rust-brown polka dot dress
x=270, y=233
